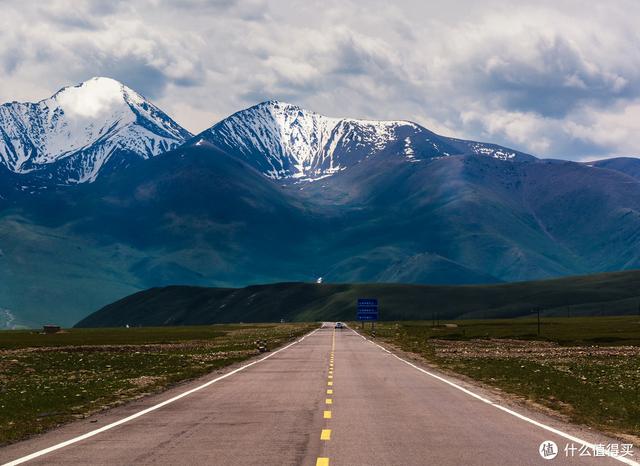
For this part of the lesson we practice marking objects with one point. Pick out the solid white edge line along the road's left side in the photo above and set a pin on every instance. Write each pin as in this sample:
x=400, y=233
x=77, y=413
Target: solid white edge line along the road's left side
x=66, y=443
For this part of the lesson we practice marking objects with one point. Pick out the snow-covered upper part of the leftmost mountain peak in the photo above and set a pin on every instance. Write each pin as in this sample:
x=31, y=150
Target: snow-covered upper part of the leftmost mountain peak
x=70, y=137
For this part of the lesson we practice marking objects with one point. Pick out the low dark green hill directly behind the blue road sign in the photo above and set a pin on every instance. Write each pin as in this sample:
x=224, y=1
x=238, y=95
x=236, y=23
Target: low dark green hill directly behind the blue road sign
x=599, y=294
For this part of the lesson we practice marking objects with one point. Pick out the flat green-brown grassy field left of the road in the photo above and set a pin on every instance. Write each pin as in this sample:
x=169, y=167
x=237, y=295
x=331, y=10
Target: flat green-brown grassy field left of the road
x=46, y=380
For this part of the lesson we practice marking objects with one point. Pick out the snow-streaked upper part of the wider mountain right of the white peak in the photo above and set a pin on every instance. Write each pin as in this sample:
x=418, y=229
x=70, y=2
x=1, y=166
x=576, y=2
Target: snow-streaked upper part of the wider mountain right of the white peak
x=285, y=141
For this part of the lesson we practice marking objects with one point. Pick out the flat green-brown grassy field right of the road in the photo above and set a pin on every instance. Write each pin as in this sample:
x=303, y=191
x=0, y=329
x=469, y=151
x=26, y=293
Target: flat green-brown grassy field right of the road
x=585, y=368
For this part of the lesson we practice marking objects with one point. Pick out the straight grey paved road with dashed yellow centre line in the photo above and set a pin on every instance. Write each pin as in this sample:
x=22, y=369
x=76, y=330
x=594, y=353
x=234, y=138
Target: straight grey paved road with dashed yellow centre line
x=333, y=398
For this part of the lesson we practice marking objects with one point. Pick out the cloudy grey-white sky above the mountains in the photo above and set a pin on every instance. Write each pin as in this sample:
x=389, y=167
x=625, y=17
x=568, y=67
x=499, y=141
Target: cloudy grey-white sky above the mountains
x=551, y=78
